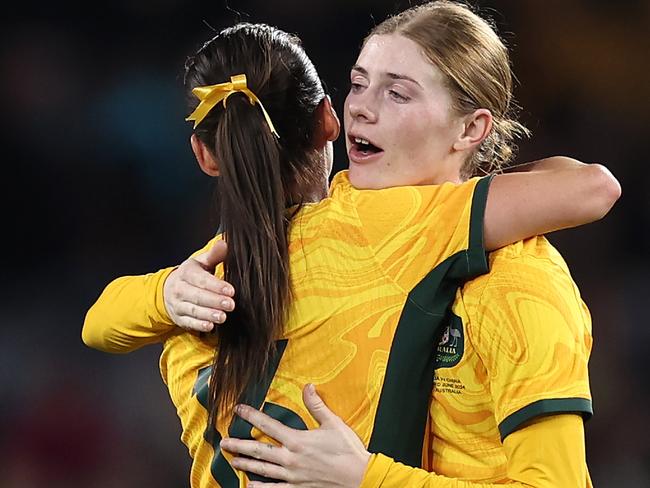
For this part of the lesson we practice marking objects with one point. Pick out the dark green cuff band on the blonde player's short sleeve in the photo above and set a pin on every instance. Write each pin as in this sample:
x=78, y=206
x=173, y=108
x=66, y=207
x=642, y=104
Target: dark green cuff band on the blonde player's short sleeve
x=540, y=408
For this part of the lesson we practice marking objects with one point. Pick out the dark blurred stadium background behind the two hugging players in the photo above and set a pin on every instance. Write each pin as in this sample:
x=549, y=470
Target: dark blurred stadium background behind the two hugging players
x=98, y=180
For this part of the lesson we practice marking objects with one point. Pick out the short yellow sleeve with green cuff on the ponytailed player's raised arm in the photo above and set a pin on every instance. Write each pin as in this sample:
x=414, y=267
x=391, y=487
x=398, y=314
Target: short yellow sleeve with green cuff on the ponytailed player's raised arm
x=413, y=229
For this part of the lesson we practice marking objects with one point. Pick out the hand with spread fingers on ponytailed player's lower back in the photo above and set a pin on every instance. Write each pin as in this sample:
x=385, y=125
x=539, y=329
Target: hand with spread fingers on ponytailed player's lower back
x=330, y=456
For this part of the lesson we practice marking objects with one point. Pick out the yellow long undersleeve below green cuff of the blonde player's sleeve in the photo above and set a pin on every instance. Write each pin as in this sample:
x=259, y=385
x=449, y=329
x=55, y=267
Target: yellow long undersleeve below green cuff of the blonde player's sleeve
x=560, y=464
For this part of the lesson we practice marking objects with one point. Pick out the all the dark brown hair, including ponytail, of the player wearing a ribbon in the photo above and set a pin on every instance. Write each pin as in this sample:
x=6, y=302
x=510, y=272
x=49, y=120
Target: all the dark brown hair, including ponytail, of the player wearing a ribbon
x=260, y=176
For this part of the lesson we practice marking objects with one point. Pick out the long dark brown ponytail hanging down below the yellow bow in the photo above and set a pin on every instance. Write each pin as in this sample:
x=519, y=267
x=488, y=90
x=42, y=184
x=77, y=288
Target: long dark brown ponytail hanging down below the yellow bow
x=252, y=203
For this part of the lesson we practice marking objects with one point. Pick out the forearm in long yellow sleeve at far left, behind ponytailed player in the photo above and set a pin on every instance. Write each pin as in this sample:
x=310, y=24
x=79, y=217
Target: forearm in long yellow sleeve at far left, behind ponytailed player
x=129, y=314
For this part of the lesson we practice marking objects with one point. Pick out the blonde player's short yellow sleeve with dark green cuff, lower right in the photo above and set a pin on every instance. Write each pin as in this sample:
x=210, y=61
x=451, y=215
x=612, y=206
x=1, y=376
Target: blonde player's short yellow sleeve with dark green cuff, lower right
x=533, y=333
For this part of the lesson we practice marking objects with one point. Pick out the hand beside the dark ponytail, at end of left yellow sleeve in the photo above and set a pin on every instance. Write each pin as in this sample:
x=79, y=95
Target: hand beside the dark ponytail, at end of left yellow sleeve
x=196, y=299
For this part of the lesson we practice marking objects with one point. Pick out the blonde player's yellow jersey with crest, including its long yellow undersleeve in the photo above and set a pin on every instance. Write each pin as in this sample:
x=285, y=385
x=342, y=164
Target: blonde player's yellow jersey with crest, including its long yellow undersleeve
x=514, y=350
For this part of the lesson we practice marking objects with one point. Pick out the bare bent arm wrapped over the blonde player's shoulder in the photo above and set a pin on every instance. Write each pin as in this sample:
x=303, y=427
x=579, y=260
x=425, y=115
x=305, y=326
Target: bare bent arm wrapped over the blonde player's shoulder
x=547, y=195
